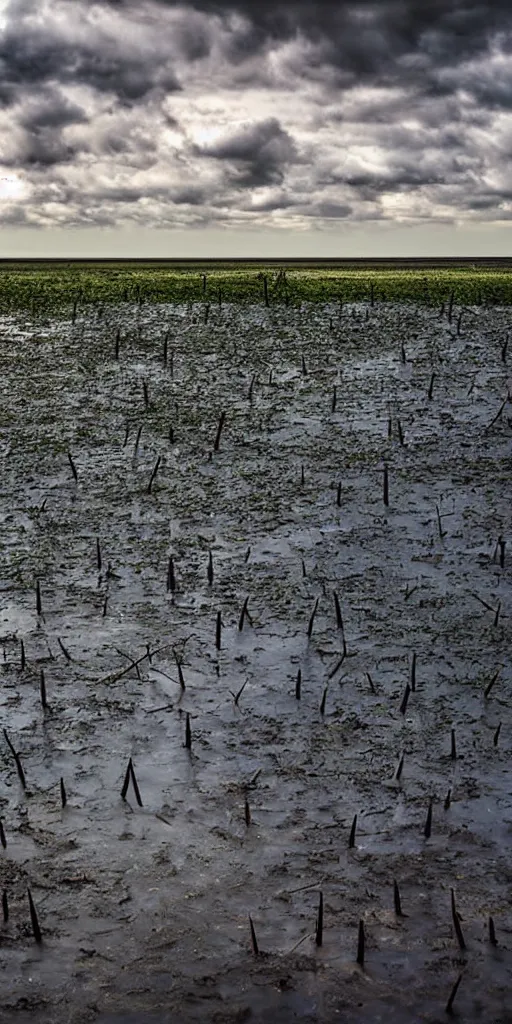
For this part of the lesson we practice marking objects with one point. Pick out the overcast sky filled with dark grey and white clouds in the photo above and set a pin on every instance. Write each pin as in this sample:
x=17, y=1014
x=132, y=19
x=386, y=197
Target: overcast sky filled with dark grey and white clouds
x=149, y=129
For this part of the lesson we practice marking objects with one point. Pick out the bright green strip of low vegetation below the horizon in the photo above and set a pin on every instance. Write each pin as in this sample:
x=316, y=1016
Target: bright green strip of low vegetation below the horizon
x=46, y=290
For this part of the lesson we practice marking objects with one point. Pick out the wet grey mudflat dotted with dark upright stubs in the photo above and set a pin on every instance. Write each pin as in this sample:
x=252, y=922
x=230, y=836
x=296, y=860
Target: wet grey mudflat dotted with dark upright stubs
x=144, y=911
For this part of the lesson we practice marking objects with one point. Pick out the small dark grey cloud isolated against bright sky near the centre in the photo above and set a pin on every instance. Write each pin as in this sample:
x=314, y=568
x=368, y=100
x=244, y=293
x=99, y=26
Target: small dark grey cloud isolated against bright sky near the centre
x=260, y=153
